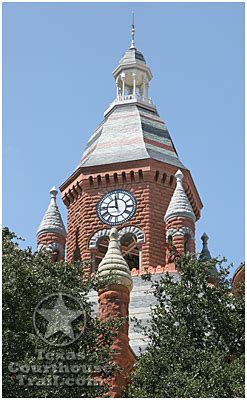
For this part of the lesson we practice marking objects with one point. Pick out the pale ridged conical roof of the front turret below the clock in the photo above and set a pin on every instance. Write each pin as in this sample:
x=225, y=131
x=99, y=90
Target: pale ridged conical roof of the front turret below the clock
x=113, y=264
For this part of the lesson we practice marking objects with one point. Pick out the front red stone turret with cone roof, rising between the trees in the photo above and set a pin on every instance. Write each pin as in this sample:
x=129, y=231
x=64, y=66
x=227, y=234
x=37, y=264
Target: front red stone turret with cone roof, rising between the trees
x=114, y=300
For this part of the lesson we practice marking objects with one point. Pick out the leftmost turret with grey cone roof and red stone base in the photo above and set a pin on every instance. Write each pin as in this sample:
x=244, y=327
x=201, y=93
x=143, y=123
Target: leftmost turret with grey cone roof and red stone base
x=51, y=233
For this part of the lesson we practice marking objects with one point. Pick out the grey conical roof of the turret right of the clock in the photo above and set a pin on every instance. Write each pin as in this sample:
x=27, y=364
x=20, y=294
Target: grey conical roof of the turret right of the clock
x=179, y=205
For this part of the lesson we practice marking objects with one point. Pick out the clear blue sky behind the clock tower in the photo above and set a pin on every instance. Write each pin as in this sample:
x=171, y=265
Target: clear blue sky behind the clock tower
x=58, y=60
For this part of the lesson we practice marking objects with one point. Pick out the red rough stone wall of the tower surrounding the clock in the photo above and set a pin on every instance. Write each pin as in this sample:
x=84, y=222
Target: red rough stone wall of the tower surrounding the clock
x=153, y=189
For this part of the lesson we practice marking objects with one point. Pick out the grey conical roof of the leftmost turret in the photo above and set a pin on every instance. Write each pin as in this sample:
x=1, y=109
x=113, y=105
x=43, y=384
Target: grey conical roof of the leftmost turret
x=52, y=220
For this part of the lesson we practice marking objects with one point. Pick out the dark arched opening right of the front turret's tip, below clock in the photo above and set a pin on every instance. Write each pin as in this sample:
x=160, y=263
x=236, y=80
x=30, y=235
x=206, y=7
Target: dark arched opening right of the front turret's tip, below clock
x=130, y=250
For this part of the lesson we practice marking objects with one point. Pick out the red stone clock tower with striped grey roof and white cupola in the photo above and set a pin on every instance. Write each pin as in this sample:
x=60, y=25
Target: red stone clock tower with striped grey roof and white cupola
x=127, y=177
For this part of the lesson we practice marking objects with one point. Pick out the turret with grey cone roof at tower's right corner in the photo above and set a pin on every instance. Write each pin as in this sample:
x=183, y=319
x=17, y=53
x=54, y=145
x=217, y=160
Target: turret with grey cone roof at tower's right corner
x=180, y=224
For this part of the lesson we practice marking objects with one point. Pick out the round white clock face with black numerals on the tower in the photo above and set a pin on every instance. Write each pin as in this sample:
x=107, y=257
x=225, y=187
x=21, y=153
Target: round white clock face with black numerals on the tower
x=116, y=207
